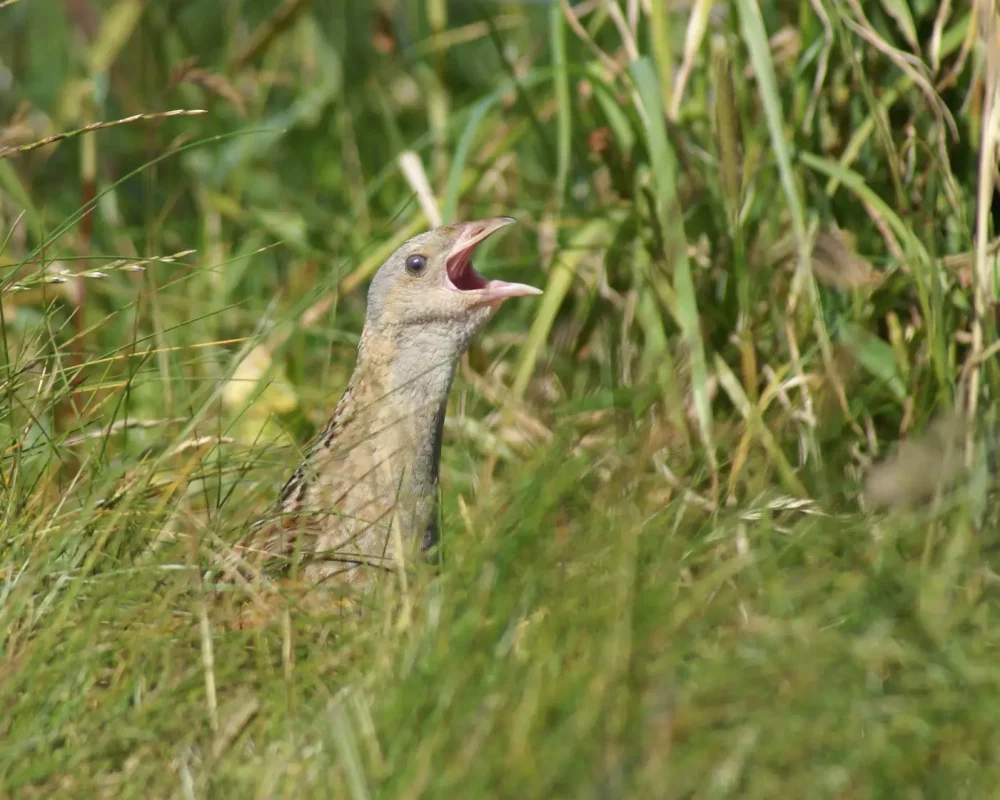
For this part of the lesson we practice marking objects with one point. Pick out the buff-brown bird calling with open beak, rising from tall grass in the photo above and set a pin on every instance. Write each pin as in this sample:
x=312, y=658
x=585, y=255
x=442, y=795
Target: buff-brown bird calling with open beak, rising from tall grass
x=364, y=499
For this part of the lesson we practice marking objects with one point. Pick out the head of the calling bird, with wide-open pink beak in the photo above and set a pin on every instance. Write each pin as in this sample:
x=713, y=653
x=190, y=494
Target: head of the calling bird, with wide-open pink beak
x=428, y=285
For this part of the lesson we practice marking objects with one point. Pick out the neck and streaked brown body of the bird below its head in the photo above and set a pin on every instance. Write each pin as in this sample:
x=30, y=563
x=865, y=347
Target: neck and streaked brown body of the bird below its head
x=373, y=465
